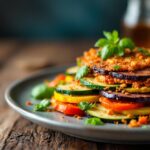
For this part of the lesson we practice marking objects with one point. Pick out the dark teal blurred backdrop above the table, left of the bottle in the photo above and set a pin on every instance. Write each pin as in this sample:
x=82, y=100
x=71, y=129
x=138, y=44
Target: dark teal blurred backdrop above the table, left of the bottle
x=59, y=19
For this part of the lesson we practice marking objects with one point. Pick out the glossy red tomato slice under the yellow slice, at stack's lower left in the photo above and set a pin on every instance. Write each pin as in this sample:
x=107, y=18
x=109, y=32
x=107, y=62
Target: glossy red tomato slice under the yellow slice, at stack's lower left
x=68, y=109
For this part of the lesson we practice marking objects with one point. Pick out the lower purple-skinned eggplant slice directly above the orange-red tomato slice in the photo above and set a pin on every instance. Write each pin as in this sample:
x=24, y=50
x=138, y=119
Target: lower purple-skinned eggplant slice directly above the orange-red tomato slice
x=126, y=97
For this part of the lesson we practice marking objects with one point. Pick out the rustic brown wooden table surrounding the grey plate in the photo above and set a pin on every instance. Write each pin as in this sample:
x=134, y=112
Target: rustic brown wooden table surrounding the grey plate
x=20, y=59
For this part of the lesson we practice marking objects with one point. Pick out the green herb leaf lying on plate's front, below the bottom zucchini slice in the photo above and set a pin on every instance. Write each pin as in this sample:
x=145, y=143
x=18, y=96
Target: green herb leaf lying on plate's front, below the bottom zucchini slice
x=94, y=121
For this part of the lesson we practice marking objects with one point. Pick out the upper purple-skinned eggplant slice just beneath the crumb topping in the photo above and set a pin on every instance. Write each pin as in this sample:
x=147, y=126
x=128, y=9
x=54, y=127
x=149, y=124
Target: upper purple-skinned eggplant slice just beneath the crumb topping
x=140, y=75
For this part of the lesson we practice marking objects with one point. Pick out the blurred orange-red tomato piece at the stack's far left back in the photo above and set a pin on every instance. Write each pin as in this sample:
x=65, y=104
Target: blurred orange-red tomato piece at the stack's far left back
x=57, y=80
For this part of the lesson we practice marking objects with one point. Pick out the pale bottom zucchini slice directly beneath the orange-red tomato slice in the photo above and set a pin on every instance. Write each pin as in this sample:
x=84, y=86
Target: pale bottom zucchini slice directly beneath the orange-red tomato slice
x=103, y=113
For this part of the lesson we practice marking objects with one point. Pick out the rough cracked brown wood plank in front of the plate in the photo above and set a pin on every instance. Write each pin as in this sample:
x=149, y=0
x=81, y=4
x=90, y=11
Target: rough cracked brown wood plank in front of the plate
x=26, y=135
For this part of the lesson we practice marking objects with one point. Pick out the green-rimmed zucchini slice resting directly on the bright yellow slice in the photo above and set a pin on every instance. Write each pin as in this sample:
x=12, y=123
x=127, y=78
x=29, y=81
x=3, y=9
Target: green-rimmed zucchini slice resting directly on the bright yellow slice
x=75, y=89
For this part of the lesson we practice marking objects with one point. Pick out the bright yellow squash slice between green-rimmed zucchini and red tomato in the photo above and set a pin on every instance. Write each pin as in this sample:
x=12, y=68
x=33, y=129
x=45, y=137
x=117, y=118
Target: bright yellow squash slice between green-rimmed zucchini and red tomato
x=75, y=99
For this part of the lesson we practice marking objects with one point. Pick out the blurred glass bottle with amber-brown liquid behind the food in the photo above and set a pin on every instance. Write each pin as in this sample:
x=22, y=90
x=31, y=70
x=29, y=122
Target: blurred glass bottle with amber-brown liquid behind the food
x=136, y=22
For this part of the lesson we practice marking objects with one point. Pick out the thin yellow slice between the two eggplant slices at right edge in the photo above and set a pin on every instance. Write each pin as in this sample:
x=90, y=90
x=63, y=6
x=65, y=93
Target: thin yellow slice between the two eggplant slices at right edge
x=138, y=90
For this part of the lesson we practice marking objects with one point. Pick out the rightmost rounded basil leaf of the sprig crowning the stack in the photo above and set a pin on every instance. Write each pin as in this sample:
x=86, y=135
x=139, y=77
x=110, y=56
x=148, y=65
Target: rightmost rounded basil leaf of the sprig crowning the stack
x=126, y=43
